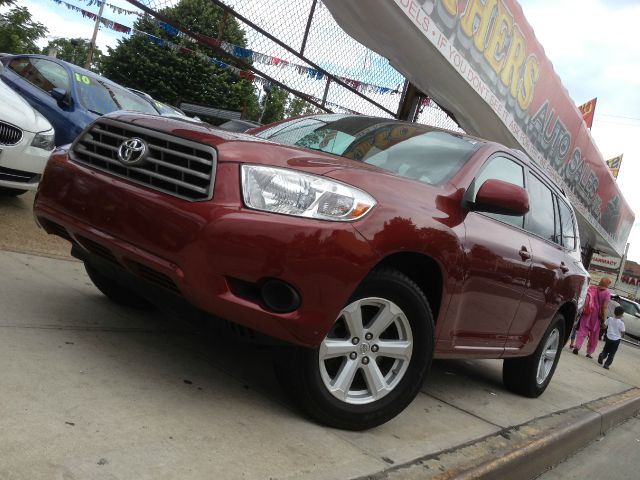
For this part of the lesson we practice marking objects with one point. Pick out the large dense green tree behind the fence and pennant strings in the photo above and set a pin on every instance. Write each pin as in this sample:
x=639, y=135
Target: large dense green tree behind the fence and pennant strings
x=170, y=75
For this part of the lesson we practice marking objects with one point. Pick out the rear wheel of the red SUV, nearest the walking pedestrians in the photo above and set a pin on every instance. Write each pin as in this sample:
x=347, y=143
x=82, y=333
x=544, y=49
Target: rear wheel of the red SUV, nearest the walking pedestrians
x=530, y=376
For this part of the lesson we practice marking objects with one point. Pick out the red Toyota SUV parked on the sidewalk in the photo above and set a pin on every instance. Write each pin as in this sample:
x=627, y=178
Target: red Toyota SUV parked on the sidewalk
x=371, y=245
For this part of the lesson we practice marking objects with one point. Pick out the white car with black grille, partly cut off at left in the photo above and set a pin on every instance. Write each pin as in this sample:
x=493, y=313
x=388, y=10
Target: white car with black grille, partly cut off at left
x=26, y=141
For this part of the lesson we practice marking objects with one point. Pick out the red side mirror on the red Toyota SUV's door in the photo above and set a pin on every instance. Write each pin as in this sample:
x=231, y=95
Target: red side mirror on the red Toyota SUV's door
x=496, y=196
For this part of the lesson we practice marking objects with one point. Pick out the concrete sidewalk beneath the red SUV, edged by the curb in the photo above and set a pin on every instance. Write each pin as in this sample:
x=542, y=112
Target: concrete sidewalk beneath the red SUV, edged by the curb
x=93, y=391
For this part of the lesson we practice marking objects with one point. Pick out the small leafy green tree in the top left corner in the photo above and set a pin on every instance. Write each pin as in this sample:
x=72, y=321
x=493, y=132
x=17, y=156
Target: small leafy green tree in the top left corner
x=18, y=31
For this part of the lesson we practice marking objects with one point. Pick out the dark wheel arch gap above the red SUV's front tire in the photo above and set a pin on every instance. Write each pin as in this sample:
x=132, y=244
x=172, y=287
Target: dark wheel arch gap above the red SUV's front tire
x=424, y=271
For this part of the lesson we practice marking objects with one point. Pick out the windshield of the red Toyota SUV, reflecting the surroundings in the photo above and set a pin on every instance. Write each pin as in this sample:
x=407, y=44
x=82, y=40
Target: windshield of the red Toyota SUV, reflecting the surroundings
x=409, y=150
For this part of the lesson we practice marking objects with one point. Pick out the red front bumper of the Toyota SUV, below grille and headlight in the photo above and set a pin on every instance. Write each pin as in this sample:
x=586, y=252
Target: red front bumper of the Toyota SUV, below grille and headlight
x=209, y=252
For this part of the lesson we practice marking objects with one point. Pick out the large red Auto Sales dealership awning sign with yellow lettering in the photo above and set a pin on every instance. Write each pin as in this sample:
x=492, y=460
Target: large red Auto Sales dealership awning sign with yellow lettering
x=480, y=60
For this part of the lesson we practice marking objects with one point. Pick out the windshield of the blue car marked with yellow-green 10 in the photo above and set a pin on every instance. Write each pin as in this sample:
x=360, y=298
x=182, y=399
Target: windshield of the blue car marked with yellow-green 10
x=102, y=97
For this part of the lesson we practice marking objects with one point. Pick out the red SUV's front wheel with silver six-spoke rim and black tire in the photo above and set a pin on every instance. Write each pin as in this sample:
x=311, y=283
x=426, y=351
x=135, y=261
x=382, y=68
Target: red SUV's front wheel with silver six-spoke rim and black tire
x=373, y=361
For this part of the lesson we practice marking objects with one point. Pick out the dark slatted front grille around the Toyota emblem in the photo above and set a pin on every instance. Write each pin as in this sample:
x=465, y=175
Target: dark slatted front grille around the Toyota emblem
x=176, y=166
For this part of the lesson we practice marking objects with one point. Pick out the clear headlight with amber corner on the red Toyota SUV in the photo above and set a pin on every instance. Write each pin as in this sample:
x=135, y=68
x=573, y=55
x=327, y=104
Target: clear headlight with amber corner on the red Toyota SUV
x=291, y=192
